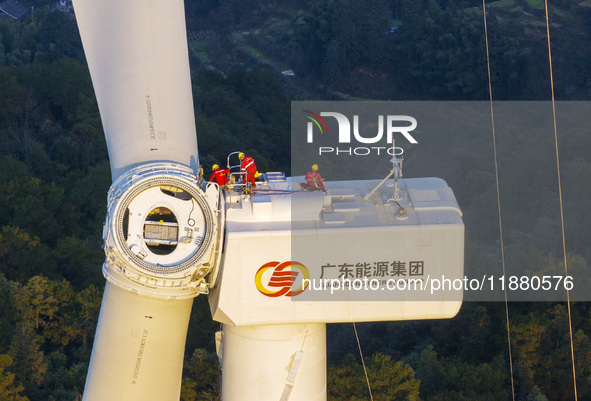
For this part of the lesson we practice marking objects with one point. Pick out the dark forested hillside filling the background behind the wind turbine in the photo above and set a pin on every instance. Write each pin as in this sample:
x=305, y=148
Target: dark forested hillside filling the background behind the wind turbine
x=54, y=172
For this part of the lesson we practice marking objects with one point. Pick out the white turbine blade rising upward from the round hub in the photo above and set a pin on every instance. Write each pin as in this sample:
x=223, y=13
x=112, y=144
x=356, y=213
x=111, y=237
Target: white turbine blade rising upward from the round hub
x=138, y=59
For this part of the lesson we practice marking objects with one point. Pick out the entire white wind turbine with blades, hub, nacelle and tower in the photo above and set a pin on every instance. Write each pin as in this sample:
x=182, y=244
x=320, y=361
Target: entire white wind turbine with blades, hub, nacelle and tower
x=169, y=238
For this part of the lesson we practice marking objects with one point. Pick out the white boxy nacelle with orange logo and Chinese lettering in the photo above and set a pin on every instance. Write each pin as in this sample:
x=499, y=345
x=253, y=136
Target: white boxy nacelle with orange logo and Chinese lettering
x=351, y=255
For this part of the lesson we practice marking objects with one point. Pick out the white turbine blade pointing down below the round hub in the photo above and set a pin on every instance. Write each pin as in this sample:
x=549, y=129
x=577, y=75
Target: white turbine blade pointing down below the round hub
x=138, y=349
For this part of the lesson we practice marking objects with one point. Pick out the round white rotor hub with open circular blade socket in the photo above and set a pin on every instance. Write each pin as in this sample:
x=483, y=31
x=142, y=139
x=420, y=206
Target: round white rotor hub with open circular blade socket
x=162, y=232
